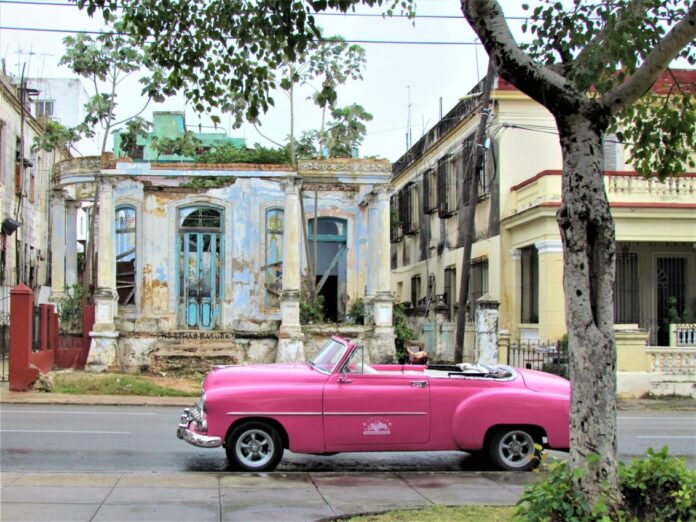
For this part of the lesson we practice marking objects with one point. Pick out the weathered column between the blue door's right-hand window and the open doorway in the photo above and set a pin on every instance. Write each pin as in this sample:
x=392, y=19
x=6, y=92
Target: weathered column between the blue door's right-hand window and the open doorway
x=290, y=336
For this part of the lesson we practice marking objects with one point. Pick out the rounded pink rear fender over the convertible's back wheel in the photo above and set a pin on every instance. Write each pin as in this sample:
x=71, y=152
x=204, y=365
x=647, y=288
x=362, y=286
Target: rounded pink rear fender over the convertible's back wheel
x=476, y=415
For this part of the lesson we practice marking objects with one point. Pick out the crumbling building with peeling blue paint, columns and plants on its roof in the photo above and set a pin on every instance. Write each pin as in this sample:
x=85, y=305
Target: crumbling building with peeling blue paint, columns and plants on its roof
x=207, y=262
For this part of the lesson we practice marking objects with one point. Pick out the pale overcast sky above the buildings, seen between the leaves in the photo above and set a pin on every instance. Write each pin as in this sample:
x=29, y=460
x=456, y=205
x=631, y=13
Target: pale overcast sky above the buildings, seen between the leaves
x=402, y=82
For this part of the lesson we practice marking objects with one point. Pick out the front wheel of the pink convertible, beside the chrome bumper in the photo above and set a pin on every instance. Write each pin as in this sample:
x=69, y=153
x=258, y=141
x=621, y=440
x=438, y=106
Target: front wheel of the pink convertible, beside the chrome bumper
x=254, y=446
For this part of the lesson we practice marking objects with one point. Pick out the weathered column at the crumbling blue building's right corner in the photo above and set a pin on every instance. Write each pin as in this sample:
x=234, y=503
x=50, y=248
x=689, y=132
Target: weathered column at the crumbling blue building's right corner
x=383, y=349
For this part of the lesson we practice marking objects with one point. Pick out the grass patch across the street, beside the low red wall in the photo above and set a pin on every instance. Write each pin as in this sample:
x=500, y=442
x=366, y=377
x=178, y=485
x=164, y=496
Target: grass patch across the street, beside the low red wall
x=119, y=384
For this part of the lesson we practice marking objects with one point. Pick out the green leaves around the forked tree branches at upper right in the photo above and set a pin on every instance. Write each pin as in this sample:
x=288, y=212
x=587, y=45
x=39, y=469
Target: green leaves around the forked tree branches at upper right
x=599, y=45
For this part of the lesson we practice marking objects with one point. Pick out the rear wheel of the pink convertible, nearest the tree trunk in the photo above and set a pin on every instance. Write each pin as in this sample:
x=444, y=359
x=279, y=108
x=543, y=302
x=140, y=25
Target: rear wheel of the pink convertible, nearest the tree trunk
x=515, y=449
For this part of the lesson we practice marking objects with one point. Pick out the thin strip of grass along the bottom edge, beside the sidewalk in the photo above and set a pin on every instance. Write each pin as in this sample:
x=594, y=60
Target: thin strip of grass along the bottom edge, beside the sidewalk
x=444, y=513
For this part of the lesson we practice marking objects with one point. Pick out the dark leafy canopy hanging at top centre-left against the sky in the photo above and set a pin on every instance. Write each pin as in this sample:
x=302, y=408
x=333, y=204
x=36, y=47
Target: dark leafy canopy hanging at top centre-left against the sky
x=223, y=56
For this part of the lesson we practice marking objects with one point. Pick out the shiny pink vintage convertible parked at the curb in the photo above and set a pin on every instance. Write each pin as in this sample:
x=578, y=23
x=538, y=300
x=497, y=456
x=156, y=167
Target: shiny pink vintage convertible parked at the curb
x=338, y=403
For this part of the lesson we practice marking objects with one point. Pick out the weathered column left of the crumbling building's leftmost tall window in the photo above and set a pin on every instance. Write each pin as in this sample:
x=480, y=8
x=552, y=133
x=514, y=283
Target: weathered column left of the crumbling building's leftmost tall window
x=102, y=353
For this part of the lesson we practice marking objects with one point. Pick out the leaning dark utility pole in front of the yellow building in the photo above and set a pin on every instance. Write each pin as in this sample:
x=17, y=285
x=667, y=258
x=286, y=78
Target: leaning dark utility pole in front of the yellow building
x=460, y=354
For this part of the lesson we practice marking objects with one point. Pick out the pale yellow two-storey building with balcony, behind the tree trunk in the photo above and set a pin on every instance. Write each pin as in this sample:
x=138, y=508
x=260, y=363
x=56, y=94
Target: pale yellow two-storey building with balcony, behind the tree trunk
x=517, y=256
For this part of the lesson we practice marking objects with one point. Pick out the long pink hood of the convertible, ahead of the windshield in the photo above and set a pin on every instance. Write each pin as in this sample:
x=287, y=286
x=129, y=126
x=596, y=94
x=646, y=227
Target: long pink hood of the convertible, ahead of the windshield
x=260, y=374
